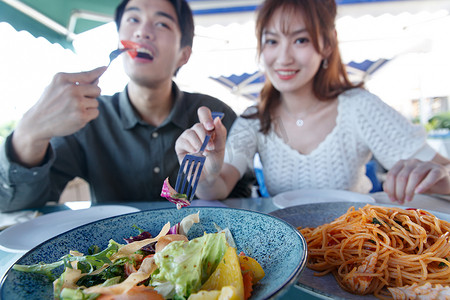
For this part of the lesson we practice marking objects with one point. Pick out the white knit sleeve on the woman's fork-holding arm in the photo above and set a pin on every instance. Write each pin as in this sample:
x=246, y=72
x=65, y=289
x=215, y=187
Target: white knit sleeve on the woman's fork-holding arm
x=242, y=144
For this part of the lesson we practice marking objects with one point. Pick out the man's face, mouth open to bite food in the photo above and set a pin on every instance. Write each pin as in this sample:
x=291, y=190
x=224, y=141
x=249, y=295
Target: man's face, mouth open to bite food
x=153, y=24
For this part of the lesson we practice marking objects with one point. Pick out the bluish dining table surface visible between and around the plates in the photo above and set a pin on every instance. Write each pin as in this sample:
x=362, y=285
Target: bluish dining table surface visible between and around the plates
x=258, y=204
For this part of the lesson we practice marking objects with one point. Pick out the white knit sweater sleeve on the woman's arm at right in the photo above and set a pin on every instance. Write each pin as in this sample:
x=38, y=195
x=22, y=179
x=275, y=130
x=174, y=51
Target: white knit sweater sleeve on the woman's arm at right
x=389, y=135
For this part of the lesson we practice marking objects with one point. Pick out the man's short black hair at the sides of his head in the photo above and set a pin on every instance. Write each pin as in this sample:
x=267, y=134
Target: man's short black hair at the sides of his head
x=184, y=15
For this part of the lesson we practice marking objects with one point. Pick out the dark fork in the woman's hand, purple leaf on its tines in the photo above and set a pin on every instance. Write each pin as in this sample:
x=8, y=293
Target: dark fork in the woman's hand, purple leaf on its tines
x=193, y=163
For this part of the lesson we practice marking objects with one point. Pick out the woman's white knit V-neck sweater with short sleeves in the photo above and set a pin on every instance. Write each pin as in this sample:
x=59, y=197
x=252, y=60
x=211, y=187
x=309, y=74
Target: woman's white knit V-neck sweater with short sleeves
x=365, y=125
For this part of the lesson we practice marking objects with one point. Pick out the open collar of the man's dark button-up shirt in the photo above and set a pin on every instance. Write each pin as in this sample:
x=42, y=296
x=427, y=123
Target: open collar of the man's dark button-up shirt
x=178, y=115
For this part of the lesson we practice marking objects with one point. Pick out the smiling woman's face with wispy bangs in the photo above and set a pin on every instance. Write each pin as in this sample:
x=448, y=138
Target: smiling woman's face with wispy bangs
x=288, y=55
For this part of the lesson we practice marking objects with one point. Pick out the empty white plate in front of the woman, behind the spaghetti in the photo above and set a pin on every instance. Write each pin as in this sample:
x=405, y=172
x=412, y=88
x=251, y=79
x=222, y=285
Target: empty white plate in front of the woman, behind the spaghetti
x=307, y=196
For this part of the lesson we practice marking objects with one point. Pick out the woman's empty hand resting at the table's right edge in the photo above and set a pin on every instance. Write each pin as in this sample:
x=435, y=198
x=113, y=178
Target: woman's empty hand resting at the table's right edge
x=410, y=177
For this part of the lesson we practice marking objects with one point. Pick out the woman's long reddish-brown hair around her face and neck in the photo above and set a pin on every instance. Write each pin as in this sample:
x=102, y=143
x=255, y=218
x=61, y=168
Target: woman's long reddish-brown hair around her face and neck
x=319, y=16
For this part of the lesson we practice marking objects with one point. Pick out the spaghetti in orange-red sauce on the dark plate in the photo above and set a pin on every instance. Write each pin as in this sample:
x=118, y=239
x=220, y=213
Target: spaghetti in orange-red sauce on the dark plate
x=374, y=248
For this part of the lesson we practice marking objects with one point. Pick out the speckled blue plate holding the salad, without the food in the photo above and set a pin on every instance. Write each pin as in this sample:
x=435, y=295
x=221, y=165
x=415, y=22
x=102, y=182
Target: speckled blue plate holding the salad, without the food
x=276, y=245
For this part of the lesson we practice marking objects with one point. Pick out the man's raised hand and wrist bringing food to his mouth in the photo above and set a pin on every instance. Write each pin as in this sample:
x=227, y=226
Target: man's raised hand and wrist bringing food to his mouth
x=66, y=106
